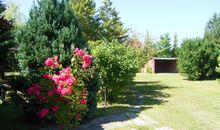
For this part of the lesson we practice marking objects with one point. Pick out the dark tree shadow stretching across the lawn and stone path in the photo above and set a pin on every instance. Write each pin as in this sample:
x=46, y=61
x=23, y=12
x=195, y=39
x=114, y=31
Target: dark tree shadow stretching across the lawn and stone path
x=152, y=94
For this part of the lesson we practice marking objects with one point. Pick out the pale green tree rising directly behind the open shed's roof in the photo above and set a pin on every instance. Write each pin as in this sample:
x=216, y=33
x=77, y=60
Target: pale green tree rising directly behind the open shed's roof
x=163, y=46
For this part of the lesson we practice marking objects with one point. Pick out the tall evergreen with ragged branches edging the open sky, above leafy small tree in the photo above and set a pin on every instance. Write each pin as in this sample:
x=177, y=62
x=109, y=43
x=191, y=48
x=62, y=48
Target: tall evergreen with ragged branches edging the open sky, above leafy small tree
x=111, y=26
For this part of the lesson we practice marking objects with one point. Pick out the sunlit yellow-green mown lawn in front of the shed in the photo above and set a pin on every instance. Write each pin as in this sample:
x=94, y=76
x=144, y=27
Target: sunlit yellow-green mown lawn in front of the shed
x=173, y=101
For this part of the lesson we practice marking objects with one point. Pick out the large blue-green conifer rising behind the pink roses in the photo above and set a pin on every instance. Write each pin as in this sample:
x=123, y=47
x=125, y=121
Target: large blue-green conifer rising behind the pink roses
x=52, y=29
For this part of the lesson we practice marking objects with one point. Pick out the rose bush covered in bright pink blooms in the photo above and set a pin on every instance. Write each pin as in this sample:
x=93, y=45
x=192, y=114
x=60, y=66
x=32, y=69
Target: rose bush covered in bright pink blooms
x=61, y=90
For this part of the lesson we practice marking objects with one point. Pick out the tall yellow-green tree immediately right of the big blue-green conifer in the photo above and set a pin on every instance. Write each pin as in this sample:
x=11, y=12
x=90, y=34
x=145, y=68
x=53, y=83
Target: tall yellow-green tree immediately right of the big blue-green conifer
x=86, y=14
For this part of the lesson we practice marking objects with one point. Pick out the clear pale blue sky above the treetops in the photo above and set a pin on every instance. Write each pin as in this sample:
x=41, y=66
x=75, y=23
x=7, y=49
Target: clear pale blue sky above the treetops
x=185, y=17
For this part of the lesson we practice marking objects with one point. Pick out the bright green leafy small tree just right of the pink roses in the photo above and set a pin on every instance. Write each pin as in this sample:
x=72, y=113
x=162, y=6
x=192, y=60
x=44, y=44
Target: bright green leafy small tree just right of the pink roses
x=117, y=66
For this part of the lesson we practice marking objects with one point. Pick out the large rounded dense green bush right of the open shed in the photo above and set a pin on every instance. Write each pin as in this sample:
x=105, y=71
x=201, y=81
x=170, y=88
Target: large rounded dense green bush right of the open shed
x=197, y=58
